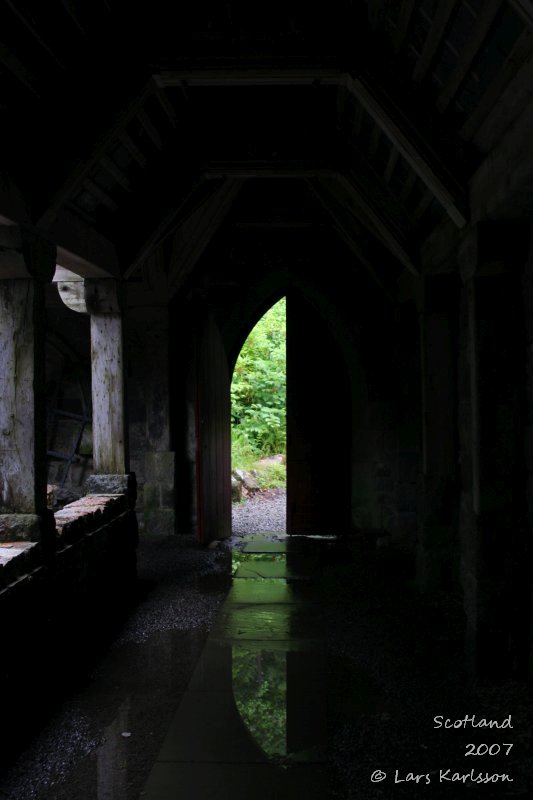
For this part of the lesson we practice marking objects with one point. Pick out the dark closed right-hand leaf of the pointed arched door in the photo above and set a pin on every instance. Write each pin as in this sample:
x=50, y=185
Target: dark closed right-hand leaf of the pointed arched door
x=318, y=425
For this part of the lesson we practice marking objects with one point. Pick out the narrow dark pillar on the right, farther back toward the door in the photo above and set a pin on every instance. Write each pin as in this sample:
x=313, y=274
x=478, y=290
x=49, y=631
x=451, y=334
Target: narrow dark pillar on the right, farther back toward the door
x=437, y=557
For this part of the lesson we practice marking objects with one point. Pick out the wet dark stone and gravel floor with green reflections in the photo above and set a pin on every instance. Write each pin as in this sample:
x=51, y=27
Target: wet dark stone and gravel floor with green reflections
x=281, y=667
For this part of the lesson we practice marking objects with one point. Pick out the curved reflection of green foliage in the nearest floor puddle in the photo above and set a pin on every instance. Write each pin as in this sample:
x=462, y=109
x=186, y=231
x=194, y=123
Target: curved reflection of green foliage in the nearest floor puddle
x=260, y=690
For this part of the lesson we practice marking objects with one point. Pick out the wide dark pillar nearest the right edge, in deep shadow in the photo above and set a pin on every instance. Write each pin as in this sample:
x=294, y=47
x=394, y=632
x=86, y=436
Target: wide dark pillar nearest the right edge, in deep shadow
x=494, y=562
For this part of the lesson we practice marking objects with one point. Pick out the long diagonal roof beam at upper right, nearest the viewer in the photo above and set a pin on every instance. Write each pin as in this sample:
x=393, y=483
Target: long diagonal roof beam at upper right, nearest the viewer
x=404, y=143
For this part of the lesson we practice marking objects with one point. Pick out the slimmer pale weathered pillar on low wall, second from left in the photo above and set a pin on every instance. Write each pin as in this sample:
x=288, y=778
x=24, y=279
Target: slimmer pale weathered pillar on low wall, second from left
x=101, y=298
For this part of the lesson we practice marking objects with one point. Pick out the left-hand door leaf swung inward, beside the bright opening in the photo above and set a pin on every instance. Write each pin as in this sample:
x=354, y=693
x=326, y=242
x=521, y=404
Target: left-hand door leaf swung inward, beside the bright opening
x=213, y=435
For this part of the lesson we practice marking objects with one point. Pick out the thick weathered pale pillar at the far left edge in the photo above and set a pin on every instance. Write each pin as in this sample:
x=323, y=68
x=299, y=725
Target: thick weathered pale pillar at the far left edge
x=26, y=264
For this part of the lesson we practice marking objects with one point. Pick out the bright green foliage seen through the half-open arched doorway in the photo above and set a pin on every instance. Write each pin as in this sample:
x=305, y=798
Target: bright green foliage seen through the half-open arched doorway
x=258, y=387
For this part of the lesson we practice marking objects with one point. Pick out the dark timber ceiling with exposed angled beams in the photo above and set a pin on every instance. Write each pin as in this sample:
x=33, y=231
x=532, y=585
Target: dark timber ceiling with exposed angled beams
x=127, y=121
